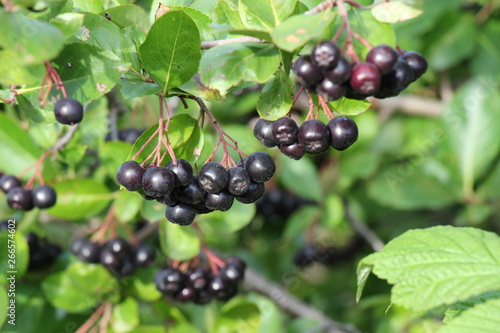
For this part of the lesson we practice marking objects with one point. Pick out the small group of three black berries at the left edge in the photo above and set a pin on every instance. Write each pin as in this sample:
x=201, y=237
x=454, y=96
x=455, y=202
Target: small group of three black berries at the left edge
x=20, y=198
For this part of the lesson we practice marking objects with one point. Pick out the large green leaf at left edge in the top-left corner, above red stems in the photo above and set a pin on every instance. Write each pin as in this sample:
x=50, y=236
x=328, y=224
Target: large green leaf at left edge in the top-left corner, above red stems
x=24, y=44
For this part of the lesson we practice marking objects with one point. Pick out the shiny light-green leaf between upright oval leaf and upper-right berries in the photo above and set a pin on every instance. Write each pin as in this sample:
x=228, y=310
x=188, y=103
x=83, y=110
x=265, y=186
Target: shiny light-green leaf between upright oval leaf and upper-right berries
x=224, y=66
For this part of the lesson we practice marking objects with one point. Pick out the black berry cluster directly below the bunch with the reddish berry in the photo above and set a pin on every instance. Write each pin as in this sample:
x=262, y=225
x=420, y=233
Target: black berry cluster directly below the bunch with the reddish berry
x=312, y=137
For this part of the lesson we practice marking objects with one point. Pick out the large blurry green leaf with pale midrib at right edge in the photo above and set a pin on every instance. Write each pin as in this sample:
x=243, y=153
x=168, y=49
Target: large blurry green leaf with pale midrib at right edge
x=470, y=121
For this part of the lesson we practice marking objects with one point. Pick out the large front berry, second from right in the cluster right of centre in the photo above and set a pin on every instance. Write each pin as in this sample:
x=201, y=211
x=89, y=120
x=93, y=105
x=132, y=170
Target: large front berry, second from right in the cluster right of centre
x=313, y=135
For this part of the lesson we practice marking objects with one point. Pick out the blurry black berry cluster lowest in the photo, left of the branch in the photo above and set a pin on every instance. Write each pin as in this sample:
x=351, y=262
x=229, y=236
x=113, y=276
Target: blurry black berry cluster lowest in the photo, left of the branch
x=200, y=285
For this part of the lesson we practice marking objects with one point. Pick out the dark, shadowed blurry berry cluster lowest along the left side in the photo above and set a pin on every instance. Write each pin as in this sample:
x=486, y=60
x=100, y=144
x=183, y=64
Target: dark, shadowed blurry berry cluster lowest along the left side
x=42, y=253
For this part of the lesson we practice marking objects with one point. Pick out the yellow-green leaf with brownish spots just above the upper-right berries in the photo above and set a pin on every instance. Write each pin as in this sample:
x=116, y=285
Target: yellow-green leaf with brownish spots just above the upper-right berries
x=297, y=30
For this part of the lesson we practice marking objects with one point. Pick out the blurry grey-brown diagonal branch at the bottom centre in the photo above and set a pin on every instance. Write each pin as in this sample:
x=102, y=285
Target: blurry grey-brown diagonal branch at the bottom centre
x=292, y=304
